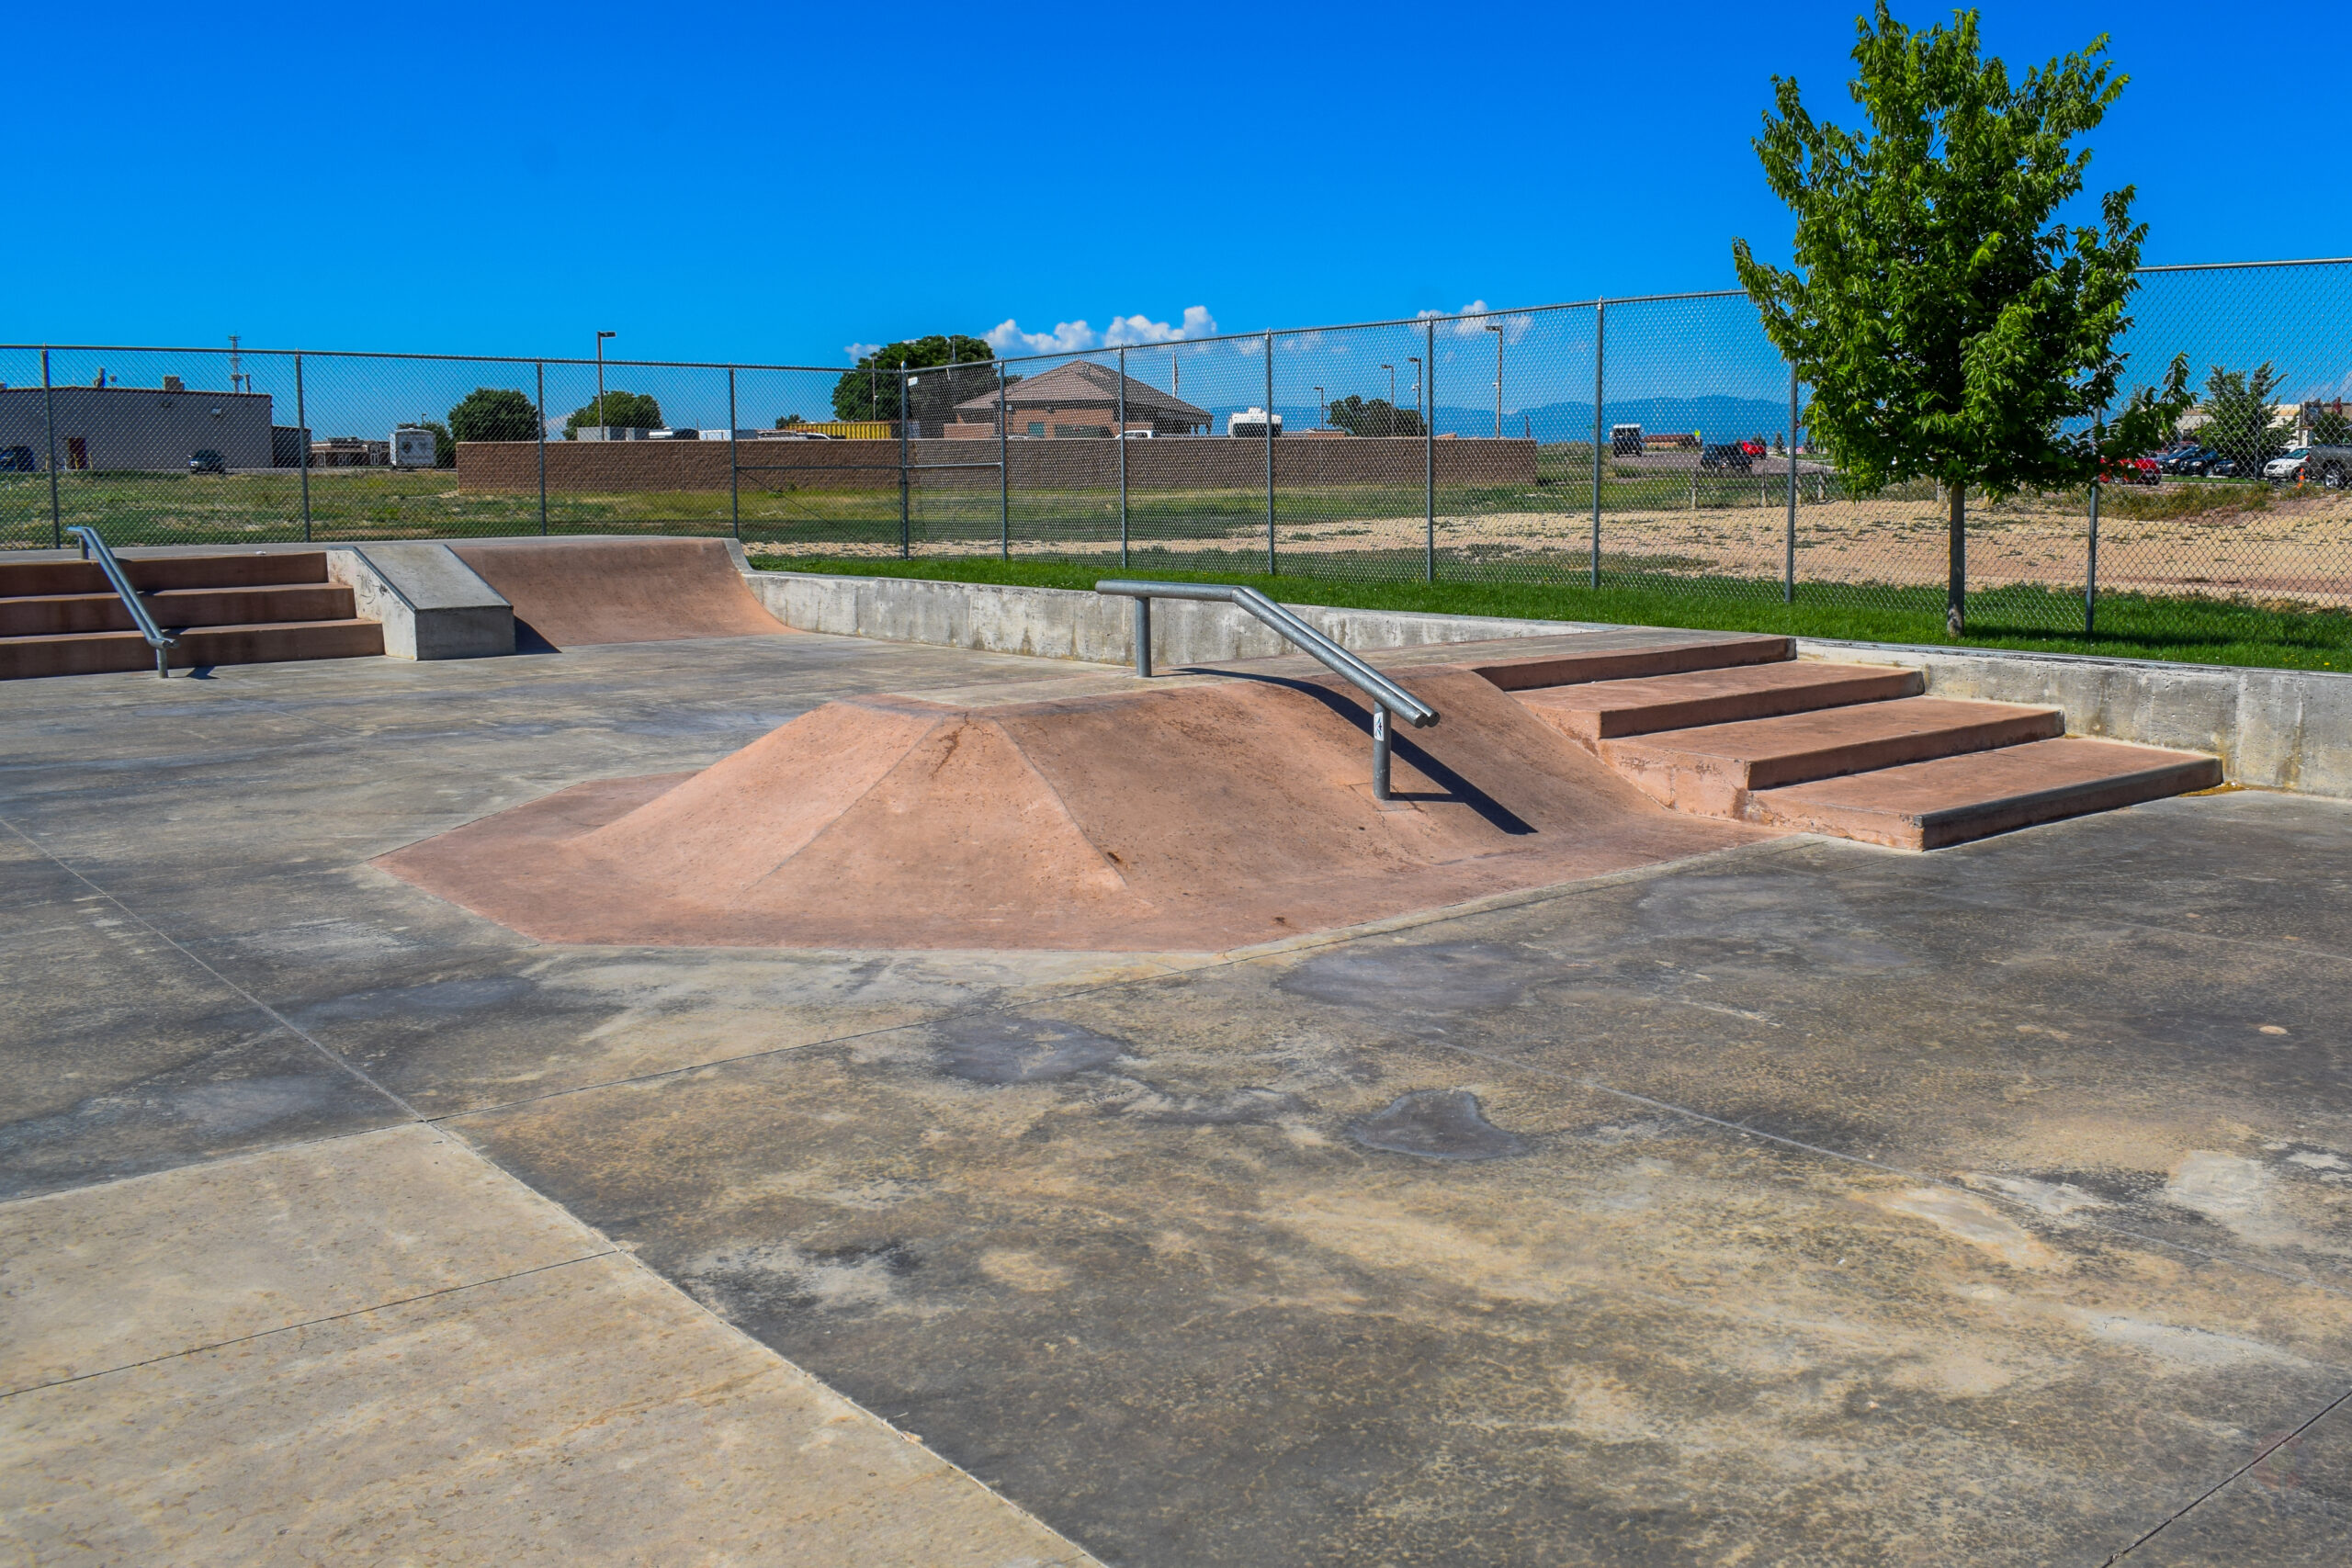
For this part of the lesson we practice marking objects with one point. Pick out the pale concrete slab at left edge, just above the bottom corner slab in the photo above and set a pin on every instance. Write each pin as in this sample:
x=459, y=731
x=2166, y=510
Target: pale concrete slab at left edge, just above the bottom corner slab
x=159, y=1266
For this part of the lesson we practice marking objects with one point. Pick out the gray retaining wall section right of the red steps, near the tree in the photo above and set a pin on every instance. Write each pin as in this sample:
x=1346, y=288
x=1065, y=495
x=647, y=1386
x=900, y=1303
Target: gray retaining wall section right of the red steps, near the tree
x=2273, y=730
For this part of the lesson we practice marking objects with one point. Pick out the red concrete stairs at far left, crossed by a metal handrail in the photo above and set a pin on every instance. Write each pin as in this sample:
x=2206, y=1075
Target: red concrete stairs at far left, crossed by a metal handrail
x=227, y=610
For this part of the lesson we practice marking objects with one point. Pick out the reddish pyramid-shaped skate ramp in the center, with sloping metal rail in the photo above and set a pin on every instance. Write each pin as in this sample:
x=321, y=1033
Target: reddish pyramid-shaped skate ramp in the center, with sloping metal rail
x=1205, y=817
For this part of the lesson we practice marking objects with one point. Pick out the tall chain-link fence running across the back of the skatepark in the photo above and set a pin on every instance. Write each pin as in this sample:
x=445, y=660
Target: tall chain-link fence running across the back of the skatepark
x=1633, y=443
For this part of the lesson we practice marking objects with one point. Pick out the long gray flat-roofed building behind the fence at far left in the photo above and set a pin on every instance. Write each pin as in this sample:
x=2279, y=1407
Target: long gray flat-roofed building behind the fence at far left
x=126, y=427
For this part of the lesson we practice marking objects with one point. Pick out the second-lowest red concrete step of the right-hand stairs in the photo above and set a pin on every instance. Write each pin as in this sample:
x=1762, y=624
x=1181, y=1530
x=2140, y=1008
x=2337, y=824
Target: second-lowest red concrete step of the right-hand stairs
x=1713, y=768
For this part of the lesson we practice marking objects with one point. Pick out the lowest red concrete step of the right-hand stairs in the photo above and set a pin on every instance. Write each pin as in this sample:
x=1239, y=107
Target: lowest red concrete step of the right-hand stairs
x=1953, y=800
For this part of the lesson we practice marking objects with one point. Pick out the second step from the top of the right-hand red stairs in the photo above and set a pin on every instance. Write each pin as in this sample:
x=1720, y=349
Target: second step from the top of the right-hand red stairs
x=1603, y=711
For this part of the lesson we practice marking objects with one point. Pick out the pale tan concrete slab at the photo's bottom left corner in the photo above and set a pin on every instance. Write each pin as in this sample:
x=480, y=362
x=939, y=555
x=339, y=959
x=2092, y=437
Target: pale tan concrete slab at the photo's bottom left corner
x=582, y=1414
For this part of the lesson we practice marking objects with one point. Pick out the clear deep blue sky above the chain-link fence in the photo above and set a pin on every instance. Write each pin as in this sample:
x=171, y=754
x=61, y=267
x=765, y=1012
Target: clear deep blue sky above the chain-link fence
x=777, y=185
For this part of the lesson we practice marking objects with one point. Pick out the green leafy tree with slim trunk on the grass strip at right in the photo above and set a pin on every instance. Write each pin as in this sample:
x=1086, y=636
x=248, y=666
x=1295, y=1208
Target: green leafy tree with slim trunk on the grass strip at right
x=1953, y=330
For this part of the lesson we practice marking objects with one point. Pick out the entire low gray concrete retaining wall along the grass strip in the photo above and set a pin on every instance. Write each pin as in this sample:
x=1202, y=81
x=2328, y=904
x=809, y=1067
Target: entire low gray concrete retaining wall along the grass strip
x=2278, y=730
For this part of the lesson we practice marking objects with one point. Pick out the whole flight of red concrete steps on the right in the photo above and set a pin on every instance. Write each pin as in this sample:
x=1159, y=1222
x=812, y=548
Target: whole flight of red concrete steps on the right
x=1744, y=730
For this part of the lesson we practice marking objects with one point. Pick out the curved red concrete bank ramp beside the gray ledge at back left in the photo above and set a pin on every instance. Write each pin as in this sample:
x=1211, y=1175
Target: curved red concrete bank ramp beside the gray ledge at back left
x=589, y=591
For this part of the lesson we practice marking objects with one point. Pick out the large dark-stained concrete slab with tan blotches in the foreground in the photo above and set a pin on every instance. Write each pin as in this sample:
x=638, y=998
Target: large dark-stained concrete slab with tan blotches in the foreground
x=1321, y=1299
